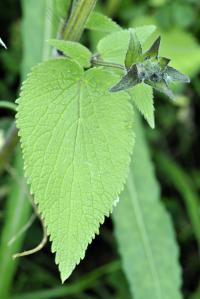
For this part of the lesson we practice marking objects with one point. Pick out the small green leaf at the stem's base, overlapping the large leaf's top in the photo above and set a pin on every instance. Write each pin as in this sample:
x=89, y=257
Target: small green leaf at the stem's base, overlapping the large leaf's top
x=74, y=50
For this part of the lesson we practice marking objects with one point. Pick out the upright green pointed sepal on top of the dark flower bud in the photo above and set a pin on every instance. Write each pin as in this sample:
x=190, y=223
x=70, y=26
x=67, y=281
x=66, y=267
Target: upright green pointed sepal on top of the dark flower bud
x=134, y=51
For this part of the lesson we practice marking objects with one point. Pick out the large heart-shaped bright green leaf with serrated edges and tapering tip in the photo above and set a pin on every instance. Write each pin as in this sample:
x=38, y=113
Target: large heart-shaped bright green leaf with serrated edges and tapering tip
x=76, y=139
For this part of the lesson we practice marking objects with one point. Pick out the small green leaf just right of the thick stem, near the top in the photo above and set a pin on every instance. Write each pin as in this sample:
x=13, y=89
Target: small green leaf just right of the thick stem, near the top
x=100, y=22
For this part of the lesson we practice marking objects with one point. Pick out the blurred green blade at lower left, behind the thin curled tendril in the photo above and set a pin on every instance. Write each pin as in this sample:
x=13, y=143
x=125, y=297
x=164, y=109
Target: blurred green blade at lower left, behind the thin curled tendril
x=16, y=215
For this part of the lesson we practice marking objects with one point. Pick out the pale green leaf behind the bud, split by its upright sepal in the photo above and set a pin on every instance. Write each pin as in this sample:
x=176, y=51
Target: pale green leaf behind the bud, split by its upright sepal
x=114, y=46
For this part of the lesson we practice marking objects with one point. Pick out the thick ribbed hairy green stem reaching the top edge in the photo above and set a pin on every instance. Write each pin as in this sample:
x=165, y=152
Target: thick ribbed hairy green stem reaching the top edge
x=79, y=15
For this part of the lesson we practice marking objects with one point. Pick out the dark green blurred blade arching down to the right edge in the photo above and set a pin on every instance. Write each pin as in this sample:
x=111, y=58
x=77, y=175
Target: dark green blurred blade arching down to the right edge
x=182, y=182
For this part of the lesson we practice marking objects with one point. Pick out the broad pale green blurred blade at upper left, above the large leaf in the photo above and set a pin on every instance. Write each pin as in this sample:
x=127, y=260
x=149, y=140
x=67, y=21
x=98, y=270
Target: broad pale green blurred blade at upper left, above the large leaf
x=38, y=26
